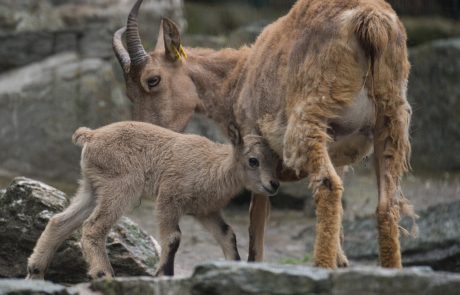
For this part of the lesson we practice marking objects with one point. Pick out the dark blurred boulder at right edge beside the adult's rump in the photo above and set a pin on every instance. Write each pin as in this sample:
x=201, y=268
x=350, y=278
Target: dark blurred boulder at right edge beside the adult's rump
x=434, y=93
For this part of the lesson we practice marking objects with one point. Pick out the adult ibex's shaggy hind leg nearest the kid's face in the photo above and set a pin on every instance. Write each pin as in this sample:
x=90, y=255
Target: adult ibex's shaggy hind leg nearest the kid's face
x=305, y=150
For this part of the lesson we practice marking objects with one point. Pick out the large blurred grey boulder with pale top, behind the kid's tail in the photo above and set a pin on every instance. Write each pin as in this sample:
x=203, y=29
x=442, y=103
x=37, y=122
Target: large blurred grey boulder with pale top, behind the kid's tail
x=41, y=105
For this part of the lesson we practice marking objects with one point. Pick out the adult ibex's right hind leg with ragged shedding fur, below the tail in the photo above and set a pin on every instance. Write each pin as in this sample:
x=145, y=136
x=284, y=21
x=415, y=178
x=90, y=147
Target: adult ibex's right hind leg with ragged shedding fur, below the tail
x=392, y=151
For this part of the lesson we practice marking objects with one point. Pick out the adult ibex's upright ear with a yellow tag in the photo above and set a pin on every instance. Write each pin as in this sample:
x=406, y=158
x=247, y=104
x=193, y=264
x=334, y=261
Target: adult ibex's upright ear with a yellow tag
x=169, y=39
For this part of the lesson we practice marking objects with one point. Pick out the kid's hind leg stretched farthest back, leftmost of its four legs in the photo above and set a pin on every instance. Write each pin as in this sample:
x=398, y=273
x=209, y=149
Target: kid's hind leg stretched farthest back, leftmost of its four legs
x=58, y=229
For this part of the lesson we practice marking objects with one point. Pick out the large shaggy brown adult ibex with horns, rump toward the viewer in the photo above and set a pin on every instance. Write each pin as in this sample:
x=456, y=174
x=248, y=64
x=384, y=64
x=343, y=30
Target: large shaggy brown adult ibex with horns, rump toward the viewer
x=323, y=84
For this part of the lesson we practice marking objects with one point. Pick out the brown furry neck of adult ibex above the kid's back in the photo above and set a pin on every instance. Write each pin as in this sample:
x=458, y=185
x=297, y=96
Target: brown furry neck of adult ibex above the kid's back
x=216, y=75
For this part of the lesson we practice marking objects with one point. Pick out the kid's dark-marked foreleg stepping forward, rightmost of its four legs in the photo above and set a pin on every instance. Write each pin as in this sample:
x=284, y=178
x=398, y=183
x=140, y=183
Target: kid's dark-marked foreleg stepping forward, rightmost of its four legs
x=223, y=233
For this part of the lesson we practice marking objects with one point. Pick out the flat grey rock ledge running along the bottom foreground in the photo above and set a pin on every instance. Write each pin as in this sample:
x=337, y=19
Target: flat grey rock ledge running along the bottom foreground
x=230, y=278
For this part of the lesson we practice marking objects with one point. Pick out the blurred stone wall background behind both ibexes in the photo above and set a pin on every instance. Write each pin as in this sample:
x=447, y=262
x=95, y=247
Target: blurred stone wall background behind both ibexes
x=58, y=72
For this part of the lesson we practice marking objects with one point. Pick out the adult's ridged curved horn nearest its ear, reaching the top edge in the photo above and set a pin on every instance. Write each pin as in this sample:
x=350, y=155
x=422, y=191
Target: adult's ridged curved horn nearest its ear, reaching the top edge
x=133, y=40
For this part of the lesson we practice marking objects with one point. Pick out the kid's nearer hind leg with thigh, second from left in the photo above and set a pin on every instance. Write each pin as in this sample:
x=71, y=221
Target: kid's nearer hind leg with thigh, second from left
x=112, y=201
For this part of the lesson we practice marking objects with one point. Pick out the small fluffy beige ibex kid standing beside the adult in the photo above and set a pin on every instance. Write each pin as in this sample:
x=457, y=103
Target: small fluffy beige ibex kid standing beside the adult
x=187, y=174
